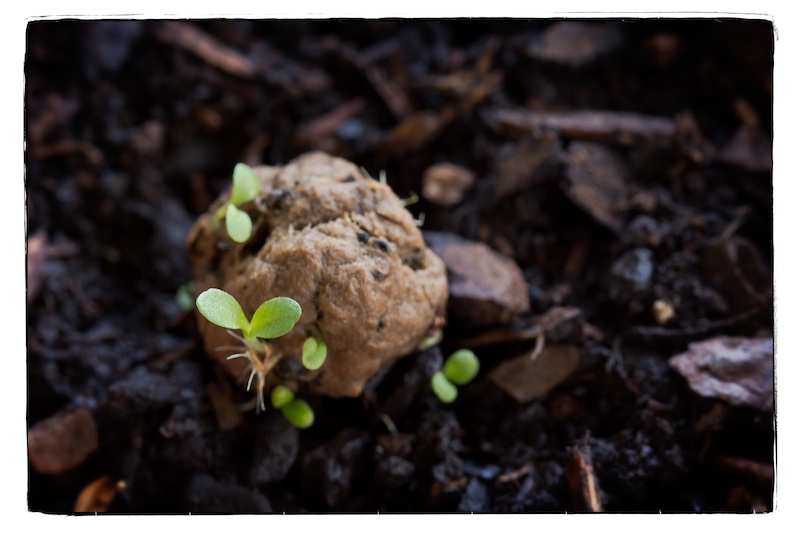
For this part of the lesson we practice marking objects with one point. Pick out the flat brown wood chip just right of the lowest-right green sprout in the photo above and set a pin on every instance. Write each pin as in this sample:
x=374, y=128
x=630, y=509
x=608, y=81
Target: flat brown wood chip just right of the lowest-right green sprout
x=526, y=379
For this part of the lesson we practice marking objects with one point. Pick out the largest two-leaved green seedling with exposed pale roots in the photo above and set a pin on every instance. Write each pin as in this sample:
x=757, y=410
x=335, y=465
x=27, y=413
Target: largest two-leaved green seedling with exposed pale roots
x=273, y=318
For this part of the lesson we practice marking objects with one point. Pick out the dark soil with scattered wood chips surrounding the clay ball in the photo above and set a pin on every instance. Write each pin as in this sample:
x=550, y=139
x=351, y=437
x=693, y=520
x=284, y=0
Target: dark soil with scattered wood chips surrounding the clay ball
x=133, y=128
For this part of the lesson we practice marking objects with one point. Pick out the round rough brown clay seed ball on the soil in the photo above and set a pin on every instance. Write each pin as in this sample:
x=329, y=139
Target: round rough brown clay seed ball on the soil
x=342, y=245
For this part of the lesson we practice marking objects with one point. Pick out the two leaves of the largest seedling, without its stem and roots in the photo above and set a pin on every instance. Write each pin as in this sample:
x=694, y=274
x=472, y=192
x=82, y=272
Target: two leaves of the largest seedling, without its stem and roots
x=272, y=319
